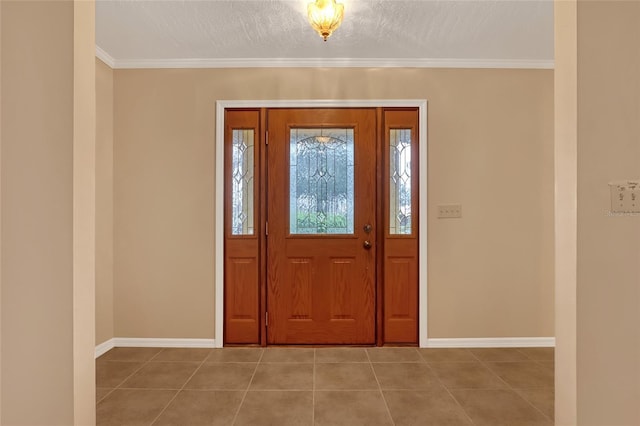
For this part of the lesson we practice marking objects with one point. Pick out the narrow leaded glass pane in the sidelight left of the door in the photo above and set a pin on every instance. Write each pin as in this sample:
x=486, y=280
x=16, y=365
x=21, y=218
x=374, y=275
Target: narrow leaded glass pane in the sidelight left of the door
x=242, y=197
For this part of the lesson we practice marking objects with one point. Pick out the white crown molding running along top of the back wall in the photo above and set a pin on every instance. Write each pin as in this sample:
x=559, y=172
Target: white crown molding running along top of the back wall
x=328, y=62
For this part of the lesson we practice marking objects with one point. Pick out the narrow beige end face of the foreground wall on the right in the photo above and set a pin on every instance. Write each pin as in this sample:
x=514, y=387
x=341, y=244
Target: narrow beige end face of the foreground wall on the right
x=566, y=180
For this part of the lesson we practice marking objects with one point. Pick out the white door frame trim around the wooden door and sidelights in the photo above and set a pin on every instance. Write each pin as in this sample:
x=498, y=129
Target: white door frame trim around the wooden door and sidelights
x=221, y=105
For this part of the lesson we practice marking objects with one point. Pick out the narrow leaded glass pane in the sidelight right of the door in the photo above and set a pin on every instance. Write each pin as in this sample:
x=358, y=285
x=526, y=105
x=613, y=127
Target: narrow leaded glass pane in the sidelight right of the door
x=400, y=181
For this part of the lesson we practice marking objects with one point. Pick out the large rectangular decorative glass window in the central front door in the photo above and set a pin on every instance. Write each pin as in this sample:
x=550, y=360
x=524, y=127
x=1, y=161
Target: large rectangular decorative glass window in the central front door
x=321, y=181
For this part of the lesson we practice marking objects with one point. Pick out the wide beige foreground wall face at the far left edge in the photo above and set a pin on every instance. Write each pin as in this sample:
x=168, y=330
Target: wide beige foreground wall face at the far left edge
x=37, y=165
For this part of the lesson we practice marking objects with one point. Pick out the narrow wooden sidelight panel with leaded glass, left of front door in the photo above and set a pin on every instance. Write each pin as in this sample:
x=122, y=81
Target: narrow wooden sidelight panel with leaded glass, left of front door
x=242, y=270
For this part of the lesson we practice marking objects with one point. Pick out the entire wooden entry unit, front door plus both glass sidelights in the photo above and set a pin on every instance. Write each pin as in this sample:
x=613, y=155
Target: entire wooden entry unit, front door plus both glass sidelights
x=320, y=226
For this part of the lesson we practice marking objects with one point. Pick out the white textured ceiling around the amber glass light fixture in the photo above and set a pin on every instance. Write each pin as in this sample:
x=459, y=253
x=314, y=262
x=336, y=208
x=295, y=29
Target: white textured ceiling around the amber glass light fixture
x=130, y=32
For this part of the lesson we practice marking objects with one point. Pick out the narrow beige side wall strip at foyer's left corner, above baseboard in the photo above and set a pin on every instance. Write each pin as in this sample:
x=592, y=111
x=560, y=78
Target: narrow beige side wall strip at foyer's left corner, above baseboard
x=104, y=202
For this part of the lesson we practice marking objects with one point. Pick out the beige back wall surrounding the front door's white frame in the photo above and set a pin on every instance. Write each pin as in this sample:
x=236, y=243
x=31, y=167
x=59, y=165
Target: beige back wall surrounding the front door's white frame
x=490, y=149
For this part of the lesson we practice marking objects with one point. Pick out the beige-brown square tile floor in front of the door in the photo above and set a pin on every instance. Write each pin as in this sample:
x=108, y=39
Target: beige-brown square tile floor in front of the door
x=325, y=386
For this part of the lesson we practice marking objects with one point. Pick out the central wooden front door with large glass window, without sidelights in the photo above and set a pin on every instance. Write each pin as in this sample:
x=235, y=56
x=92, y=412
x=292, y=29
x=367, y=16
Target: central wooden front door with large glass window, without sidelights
x=321, y=236
